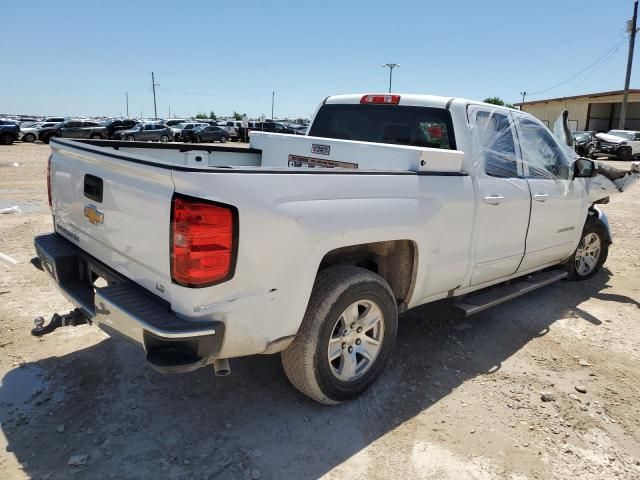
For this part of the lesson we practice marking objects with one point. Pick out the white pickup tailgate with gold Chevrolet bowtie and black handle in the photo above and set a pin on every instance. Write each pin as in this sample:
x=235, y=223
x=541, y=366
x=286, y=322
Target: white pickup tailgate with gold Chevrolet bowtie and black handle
x=115, y=210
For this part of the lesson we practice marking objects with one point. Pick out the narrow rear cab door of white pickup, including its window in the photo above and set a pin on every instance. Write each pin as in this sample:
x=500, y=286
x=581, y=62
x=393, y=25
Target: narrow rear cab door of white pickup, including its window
x=503, y=198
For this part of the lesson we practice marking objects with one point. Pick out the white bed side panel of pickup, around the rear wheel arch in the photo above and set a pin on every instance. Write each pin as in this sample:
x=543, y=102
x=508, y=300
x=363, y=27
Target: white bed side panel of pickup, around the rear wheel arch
x=289, y=222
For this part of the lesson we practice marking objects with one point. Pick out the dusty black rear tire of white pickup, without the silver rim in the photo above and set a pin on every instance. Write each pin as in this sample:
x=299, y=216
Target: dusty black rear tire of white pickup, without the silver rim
x=306, y=362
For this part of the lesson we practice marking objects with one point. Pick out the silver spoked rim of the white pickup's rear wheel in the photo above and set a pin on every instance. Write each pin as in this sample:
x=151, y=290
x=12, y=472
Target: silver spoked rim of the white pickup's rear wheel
x=356, y=340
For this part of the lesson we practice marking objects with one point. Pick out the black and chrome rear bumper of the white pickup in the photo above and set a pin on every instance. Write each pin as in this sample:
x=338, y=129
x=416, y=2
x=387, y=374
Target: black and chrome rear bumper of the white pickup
x=122, y=308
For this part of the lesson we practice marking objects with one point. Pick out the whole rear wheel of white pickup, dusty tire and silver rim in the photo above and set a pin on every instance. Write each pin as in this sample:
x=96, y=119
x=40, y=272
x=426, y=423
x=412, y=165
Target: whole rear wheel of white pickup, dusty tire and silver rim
x=346, y=336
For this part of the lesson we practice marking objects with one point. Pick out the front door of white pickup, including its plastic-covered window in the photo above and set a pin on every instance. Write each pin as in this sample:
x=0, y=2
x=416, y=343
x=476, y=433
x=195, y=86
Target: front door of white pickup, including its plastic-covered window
x=559, y=207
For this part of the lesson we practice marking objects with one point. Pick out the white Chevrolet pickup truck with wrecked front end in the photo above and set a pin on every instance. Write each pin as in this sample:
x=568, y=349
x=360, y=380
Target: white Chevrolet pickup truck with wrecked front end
x=311, y=245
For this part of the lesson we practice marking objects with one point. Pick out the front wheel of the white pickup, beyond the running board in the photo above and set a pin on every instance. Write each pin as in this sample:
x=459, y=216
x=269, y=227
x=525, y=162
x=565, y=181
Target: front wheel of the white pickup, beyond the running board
x=592, y=251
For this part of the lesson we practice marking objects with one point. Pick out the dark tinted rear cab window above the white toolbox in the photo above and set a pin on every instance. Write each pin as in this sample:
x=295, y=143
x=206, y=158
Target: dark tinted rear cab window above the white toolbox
x=394, y=124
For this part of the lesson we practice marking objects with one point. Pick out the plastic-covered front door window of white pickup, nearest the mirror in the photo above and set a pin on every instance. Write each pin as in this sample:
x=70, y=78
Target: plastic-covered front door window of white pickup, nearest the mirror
x=541, y=153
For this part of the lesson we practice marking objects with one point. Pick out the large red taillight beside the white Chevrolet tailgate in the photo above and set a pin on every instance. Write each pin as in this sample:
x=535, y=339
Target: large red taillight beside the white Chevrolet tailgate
x=203, y=241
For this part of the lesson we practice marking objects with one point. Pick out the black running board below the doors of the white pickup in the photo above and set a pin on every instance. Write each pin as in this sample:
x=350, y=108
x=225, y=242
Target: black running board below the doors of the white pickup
x=473, y=304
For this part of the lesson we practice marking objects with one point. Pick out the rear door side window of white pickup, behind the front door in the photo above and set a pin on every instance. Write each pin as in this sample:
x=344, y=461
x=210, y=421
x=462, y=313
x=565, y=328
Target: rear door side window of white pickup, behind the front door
x=493, y=134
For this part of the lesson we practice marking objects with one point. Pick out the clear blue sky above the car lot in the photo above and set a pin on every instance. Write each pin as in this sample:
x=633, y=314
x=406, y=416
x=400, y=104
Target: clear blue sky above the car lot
x=80, y=57
